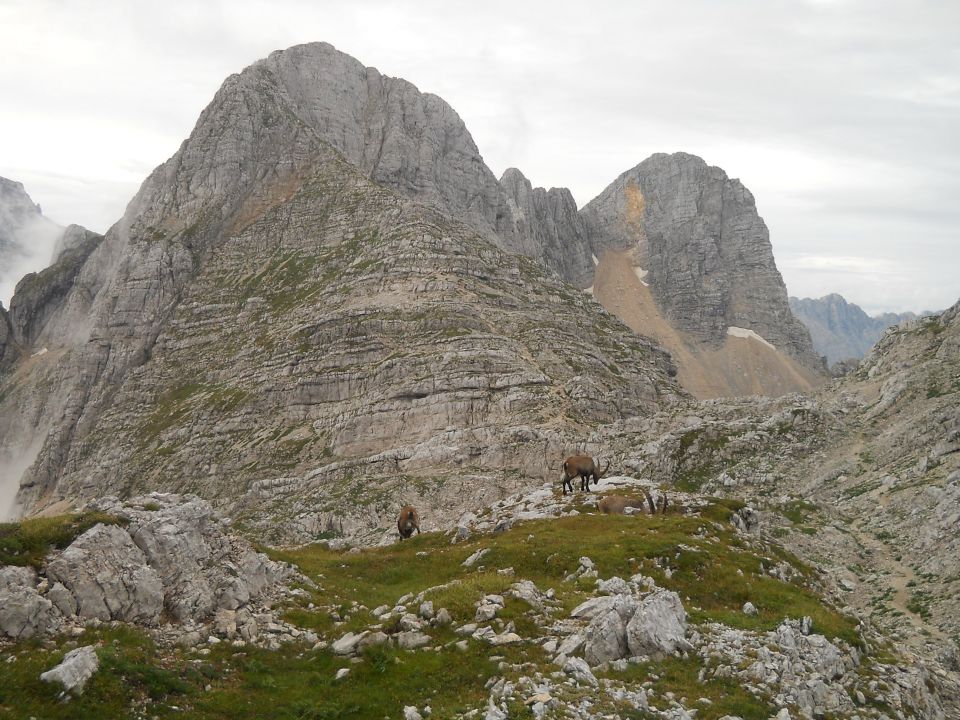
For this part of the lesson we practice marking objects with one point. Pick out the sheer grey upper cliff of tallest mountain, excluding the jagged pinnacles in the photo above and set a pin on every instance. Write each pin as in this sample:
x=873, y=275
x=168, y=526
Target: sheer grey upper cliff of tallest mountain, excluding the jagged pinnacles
x=402, y=138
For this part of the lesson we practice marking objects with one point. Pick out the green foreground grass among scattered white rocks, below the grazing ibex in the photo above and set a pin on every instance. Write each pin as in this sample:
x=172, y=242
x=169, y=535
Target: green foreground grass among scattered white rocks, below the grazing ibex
x=297, y=682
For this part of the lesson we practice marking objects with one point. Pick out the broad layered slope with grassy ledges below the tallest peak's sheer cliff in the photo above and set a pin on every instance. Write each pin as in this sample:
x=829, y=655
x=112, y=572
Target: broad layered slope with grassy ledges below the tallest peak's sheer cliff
x=269, y=327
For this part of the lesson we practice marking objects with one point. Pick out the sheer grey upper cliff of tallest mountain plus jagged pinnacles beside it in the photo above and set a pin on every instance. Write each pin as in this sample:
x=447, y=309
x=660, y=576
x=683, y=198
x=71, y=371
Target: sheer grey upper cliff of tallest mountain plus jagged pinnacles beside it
x=416, y=143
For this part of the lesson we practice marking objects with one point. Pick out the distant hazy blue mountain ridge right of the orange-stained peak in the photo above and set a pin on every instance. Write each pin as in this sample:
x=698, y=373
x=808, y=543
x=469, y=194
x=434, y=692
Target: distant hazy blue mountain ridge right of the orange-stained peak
x=841, y=330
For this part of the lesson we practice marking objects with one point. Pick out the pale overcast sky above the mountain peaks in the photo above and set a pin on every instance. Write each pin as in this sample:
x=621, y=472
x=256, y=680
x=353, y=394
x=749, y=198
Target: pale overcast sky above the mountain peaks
x=842, y=118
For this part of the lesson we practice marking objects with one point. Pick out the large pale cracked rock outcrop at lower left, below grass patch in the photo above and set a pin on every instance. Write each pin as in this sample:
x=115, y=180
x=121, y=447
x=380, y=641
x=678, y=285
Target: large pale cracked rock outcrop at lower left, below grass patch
x=170, y=561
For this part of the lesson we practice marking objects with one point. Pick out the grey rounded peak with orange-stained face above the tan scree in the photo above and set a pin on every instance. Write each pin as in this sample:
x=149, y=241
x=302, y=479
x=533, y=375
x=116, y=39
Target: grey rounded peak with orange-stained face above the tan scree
x=705, y=251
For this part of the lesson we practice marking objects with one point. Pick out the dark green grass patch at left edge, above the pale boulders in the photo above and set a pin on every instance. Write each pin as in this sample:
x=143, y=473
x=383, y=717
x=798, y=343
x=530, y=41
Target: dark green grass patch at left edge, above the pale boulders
x=28, y=542
